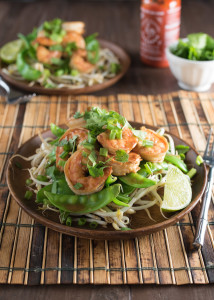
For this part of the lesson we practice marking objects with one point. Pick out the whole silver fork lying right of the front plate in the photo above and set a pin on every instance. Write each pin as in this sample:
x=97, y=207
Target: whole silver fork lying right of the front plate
x=202, y=223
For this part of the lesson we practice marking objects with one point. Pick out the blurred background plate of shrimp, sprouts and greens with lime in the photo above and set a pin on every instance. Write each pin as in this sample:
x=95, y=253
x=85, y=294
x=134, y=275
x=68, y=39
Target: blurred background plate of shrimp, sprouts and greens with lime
x=57, y=59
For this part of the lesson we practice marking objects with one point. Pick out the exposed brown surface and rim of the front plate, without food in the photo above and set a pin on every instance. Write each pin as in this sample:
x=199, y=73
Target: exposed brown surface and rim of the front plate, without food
x=140, y=223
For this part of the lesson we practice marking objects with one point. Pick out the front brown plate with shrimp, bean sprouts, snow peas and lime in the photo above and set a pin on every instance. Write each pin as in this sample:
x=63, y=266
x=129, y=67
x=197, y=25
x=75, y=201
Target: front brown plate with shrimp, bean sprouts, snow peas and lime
x=86, y=204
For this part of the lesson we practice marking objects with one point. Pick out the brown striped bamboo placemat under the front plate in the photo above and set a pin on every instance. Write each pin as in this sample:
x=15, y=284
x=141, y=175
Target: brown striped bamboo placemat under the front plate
x=32, y=254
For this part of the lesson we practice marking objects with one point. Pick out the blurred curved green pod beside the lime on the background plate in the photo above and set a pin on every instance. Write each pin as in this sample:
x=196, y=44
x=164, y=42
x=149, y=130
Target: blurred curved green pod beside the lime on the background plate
x=27, y=72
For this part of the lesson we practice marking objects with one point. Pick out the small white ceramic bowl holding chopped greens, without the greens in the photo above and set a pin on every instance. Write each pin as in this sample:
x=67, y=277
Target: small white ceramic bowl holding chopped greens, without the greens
x=191, y=75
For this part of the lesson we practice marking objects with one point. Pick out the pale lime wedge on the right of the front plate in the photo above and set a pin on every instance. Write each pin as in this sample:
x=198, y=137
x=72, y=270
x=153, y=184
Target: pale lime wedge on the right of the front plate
x=177, y=191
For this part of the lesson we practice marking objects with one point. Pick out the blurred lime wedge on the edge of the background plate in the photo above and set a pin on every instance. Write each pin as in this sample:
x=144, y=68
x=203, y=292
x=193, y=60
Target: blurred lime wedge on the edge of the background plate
x=9, y=51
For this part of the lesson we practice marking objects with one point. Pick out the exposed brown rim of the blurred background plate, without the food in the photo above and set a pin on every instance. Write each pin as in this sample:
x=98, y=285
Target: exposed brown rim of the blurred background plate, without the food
x=118, y=51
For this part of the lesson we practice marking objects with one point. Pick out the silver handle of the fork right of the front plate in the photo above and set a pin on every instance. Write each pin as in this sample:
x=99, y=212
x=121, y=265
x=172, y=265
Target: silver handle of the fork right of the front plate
x=202, y=223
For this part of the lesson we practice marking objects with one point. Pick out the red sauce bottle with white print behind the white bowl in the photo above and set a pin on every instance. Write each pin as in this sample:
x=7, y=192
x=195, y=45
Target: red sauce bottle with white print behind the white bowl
x=160, y=26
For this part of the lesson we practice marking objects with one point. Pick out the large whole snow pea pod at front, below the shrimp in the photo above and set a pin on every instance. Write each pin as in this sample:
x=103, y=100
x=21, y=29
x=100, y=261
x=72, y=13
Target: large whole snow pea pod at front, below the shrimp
x=82, y=204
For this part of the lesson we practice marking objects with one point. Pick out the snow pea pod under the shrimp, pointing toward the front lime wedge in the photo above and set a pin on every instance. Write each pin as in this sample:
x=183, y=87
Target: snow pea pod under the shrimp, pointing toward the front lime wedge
x=137, y=181
